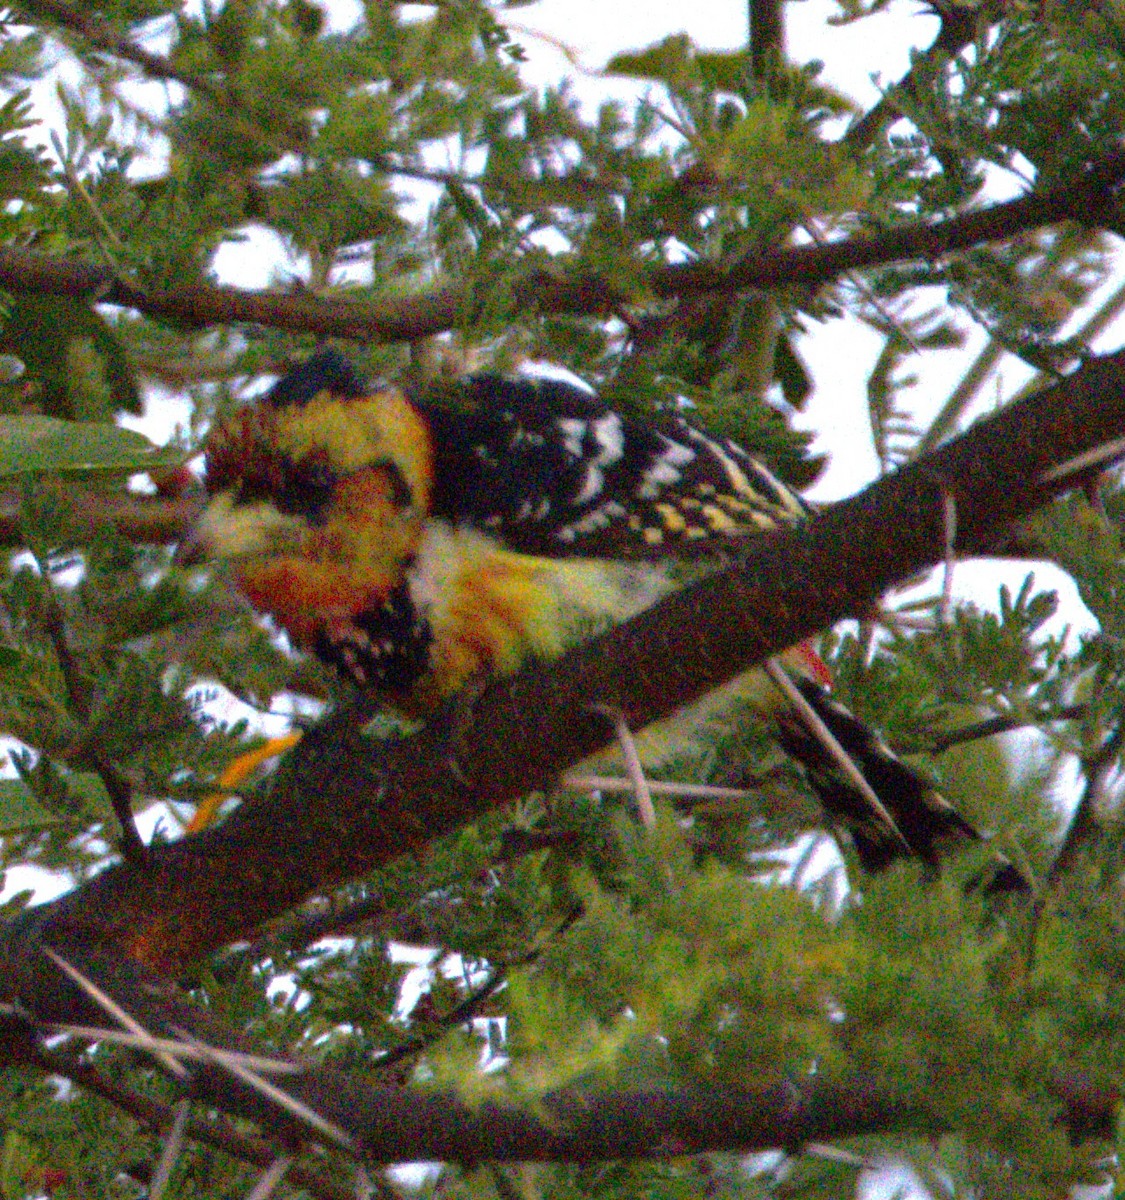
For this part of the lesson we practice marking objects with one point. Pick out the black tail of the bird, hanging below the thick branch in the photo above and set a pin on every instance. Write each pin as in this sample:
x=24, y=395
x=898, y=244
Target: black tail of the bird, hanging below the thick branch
x=923, y=824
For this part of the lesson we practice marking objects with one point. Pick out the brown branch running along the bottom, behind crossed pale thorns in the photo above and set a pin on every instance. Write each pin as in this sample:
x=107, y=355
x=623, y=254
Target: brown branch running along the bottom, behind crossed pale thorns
x=579, y=1125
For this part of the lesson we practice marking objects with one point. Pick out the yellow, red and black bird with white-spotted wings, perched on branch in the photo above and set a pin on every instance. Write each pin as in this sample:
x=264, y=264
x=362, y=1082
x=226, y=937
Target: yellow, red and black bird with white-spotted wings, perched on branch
x=418, y=547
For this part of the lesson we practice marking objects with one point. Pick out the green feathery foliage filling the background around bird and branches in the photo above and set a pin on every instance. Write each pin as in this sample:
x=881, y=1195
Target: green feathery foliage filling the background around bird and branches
x=700, y=955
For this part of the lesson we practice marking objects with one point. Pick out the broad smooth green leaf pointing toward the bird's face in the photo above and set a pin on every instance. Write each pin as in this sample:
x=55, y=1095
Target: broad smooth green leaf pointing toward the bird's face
x=33, y=445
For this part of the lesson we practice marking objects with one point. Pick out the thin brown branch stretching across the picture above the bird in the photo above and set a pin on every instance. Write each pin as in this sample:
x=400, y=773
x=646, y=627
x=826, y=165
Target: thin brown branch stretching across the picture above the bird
x=426, y=314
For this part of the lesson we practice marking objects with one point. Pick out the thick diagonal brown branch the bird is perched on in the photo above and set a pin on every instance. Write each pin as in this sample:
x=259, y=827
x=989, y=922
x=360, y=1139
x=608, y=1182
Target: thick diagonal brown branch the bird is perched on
x=342, y=808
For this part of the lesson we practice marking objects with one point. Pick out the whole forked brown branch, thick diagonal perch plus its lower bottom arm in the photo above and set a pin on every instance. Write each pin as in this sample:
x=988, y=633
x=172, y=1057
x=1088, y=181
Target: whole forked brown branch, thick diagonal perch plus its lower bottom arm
x=342, y=808
